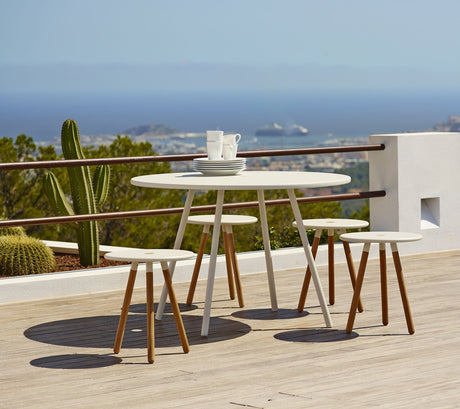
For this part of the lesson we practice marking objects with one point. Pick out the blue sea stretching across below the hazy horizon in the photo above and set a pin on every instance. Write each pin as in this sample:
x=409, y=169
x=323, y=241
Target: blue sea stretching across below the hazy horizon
x=327, y=114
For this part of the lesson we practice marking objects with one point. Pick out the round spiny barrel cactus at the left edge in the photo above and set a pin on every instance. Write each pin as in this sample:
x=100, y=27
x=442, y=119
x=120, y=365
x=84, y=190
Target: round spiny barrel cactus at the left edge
x=23, y=255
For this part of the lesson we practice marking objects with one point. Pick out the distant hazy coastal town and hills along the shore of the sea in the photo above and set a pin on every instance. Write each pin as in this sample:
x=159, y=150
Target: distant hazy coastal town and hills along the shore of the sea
x=168, y=141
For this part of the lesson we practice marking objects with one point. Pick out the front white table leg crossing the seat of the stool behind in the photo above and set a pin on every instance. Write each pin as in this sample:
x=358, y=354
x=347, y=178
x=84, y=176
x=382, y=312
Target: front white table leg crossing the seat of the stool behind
x=212, y=263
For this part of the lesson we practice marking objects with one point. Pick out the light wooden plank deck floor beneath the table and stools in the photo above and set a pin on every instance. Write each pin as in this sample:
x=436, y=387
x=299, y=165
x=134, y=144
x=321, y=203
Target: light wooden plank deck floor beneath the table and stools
x=57, y=353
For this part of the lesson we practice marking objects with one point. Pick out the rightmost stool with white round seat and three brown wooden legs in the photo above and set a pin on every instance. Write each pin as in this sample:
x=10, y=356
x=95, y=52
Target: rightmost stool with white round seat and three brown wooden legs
x=382, y=238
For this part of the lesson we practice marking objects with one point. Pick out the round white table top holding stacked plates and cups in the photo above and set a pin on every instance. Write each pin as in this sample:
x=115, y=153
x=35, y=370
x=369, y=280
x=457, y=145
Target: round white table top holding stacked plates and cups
x=246, y=180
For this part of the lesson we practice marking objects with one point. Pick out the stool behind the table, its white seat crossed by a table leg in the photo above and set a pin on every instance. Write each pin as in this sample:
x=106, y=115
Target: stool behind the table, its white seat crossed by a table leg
x=233, y=273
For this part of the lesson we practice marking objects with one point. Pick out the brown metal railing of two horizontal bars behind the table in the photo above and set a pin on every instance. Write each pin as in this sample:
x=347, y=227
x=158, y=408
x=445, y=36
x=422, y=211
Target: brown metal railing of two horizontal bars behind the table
x=184, y=157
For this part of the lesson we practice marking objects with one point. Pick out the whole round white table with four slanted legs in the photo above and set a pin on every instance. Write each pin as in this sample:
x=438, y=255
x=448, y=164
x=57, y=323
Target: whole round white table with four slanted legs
x=247, y=180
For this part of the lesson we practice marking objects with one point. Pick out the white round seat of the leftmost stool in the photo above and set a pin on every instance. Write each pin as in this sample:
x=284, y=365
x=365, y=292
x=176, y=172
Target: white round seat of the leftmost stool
x=149, y=255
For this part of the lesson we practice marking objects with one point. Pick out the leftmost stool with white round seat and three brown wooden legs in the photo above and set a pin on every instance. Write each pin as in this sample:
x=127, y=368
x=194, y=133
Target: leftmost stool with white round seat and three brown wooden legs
x=136, y=256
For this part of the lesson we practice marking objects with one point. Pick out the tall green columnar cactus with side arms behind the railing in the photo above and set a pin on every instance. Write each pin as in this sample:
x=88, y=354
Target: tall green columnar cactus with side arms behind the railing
x=86, y=193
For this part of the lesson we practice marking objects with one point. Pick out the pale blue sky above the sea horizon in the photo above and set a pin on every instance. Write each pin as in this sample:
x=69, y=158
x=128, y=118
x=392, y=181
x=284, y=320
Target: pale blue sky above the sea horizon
x=210, y=44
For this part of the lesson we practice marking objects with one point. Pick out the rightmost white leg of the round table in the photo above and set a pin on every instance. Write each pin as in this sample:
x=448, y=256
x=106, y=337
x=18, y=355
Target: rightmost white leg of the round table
x=310, y=258
